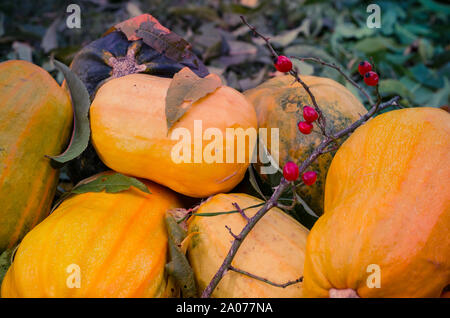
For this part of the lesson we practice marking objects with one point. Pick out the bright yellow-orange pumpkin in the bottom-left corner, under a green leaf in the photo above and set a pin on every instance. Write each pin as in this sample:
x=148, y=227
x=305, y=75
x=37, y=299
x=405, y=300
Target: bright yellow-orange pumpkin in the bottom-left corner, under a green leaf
x=117, y=240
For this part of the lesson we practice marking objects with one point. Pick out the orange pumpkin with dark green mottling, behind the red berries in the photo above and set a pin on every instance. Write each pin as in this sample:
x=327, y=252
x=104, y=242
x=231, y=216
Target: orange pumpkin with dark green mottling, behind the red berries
x=279, y=102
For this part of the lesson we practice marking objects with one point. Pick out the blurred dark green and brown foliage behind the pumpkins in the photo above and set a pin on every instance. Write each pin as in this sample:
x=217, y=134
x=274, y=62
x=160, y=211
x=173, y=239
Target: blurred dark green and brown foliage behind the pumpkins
x=410, y=50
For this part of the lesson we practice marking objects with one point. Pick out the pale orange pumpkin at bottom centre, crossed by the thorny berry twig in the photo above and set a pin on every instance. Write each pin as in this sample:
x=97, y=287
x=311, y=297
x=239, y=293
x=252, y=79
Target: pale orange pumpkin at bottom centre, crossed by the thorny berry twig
x=274, y=249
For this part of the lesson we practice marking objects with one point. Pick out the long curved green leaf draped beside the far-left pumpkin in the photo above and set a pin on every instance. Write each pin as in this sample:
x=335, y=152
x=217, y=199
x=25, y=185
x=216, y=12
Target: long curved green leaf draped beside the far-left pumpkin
x=80, y=104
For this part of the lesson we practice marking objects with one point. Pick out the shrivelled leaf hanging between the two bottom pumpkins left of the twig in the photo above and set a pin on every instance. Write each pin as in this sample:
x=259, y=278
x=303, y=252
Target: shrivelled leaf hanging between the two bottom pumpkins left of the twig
x=179, y=267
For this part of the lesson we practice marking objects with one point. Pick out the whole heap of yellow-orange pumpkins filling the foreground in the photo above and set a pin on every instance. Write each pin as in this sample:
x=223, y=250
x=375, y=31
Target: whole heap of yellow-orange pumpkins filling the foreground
x=384, y=195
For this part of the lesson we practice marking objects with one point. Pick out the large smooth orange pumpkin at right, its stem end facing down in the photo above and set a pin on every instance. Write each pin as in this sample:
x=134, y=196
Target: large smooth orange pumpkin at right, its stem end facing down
x=387, y=202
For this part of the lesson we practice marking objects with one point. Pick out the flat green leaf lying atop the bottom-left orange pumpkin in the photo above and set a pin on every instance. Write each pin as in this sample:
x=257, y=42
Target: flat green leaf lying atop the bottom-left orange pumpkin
x=112, y=183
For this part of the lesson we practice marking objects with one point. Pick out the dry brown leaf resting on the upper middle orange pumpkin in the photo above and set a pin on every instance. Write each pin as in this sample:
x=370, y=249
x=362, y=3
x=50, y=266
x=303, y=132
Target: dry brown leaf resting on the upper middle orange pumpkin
x=186, y=88
